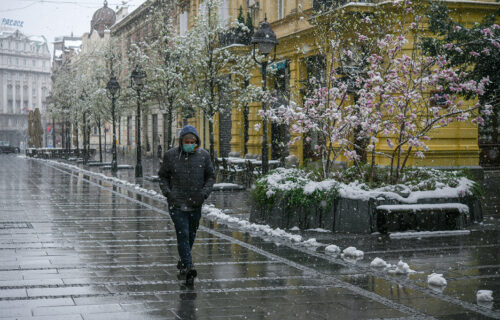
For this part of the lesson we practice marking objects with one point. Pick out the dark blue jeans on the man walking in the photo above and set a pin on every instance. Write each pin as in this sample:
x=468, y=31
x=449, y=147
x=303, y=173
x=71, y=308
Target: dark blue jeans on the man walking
x=186, y=224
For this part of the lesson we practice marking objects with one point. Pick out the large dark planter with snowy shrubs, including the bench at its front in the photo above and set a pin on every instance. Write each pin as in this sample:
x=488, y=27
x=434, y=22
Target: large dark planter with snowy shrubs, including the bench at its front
x=290, y=197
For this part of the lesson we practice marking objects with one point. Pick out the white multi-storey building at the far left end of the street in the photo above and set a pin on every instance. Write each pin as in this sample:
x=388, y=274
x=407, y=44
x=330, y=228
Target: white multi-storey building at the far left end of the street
x=24, y=82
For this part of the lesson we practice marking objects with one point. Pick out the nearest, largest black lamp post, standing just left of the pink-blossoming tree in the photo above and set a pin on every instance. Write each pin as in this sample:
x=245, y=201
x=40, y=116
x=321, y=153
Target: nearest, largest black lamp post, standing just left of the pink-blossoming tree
x=265, y=40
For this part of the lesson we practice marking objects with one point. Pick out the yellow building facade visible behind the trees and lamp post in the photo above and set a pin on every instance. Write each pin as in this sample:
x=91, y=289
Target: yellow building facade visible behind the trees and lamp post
x=455, y=145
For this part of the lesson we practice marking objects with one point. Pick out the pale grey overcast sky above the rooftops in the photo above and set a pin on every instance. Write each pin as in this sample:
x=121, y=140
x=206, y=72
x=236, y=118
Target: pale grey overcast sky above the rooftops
x=53, y=18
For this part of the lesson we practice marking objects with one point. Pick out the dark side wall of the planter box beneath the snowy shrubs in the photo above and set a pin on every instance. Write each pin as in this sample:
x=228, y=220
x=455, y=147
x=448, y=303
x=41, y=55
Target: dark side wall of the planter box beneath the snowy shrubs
x=361, y=216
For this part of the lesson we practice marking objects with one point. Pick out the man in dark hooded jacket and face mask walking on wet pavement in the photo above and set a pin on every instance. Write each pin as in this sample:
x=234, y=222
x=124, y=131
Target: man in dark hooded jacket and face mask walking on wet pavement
x=186, y=180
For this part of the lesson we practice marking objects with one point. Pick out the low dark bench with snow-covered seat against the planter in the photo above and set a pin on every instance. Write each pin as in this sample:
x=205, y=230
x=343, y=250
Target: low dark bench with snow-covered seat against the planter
x=421, y=217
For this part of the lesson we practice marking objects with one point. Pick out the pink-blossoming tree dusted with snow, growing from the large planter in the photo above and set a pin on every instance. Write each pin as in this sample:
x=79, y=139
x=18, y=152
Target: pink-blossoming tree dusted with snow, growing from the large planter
x=396, y=93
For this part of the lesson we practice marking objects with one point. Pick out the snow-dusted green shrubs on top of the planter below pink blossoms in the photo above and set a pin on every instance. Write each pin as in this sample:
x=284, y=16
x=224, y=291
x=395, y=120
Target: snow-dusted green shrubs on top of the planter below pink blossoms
x=303, y=188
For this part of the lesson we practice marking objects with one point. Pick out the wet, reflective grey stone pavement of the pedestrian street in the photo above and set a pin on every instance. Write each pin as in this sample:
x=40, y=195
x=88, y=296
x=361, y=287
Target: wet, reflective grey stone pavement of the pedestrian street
x=73, y=246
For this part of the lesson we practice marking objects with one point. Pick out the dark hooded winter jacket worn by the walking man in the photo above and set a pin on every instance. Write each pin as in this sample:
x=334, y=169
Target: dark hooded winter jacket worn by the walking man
x=186, y=179
